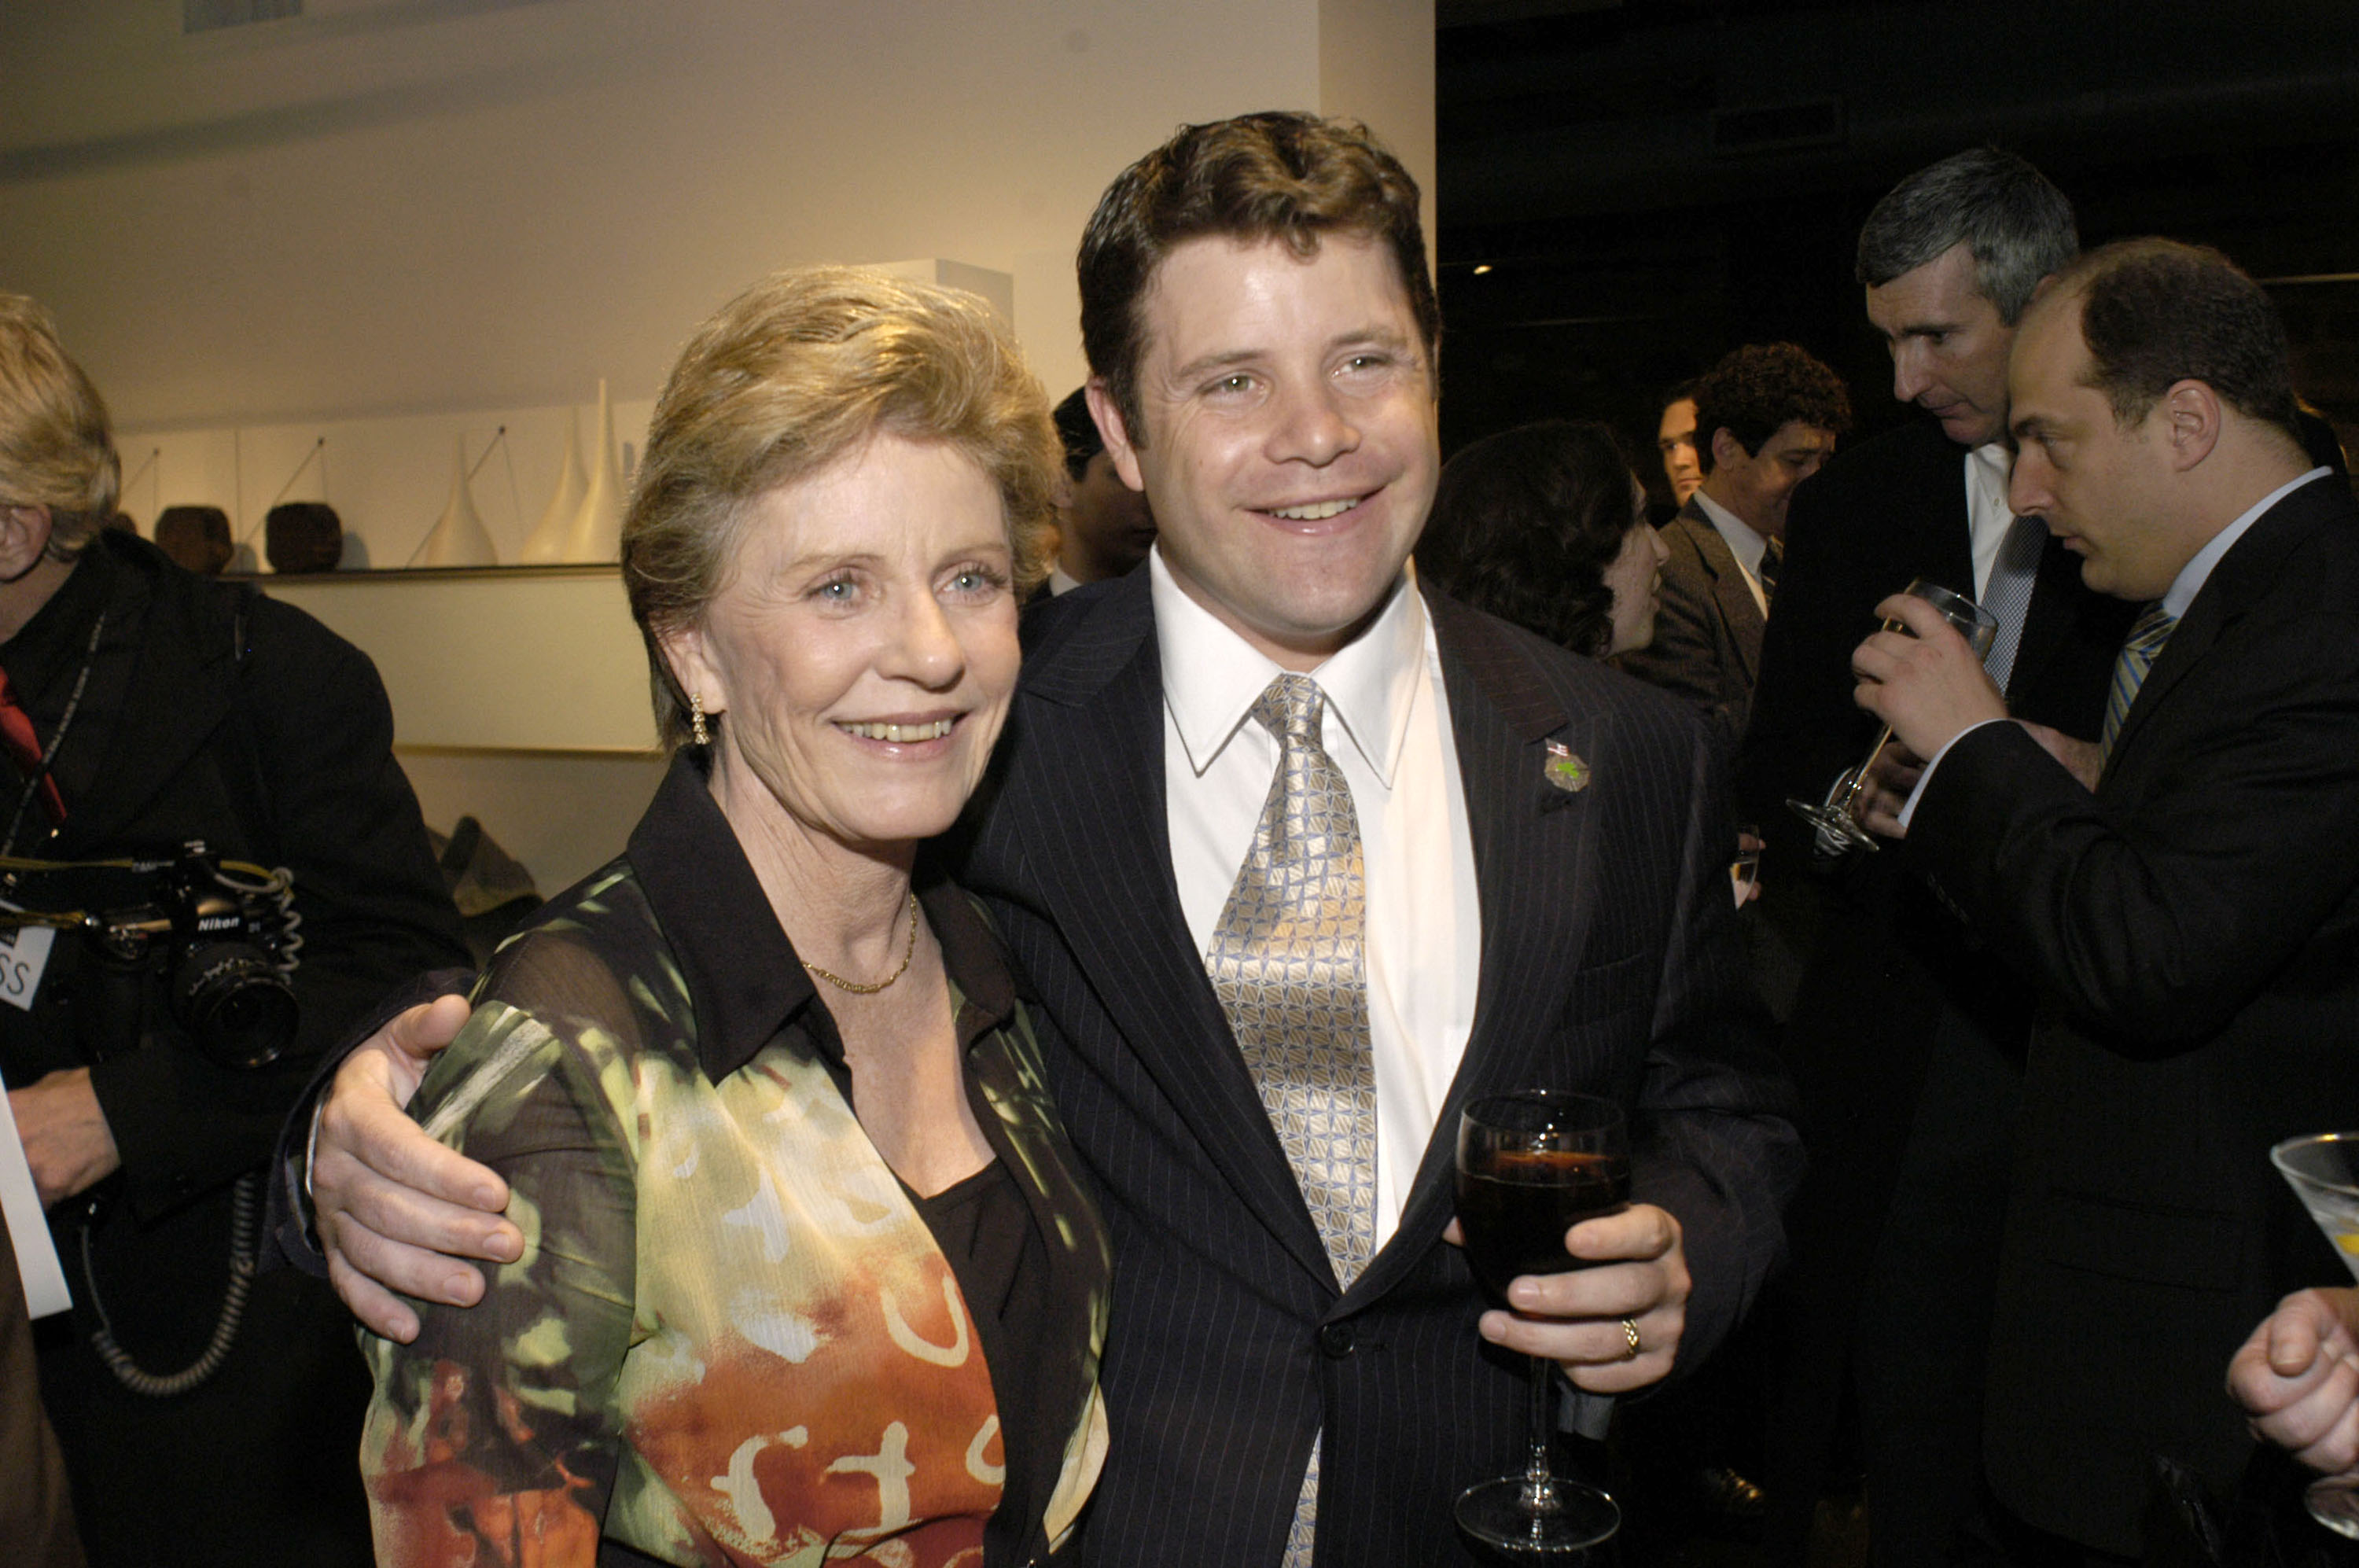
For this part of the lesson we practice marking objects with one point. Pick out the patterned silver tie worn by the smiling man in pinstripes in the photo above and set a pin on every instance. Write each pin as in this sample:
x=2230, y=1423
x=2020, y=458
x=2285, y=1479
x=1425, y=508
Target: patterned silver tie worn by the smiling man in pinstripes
x=1289, y=968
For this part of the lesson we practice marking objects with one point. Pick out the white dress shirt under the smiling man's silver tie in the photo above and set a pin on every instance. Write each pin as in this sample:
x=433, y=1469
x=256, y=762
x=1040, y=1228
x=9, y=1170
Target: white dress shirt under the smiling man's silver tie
x=1388, y=727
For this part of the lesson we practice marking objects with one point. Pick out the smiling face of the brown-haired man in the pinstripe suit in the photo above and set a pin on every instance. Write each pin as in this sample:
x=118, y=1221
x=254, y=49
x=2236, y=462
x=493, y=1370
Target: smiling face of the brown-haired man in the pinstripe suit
x=1292, y=440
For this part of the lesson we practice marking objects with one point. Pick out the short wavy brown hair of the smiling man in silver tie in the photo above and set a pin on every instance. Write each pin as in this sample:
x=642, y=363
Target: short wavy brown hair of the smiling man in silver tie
x=1289, y=178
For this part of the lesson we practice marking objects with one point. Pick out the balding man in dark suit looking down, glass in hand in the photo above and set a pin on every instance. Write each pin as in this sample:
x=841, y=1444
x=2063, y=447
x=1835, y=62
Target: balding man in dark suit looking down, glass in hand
x=2183, y=878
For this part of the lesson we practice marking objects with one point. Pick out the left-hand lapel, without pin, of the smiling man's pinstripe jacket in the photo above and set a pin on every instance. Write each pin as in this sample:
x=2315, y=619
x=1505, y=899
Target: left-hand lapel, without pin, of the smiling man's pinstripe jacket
x=1098, y=836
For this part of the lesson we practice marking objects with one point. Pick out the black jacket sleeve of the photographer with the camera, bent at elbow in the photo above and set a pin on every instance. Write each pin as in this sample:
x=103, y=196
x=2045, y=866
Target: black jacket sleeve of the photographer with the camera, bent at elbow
x=341, y=817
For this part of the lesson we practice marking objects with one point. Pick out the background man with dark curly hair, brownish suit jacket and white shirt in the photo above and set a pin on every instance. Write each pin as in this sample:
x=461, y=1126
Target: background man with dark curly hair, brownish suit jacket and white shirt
x=1766, y=421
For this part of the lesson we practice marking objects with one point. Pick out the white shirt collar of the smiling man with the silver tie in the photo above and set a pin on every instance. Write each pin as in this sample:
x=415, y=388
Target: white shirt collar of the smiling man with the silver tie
x=1211, y=676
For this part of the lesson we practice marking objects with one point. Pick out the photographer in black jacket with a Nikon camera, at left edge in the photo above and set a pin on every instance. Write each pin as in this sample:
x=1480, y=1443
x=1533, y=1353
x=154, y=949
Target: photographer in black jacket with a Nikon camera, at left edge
x=147, y=709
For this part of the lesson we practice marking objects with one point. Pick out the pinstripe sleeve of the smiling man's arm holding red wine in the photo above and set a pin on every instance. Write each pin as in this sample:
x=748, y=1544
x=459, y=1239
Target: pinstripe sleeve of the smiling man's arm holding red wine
x=1714, y=1135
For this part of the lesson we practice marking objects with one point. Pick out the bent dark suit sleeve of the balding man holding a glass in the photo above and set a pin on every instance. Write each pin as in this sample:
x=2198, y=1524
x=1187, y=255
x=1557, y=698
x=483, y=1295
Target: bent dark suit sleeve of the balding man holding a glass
x=2157, y=918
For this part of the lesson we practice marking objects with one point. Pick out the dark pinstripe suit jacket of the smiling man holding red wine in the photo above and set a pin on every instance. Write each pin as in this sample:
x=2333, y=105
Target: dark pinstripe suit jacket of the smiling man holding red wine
x=1610, y=966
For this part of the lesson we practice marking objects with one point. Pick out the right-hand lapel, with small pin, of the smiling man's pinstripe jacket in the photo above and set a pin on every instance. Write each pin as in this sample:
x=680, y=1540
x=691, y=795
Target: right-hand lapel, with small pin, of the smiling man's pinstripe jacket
x=1532, y=845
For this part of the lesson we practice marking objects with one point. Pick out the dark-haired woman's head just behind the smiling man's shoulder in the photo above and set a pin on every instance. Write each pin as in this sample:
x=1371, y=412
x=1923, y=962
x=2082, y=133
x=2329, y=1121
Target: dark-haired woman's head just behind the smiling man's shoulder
x=1546, y=527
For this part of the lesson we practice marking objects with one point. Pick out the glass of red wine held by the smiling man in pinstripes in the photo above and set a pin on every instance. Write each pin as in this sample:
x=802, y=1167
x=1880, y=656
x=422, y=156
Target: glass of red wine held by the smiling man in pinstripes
x=1530, y=1168
